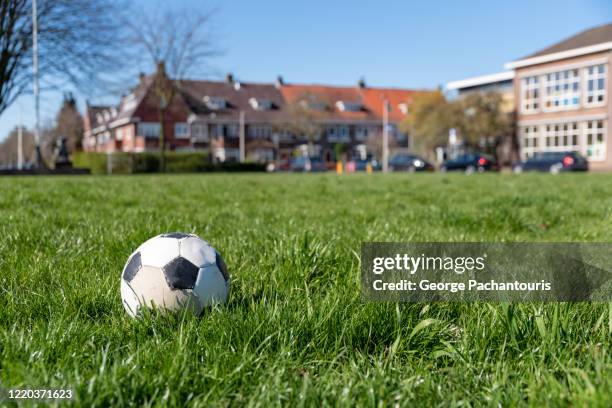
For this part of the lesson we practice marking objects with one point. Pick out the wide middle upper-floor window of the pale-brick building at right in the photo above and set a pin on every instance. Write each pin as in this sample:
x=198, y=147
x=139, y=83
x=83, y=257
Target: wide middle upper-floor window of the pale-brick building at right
x=562, y=90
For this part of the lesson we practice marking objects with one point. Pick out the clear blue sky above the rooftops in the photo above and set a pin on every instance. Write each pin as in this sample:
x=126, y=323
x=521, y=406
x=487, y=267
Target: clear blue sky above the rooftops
x=394, y=43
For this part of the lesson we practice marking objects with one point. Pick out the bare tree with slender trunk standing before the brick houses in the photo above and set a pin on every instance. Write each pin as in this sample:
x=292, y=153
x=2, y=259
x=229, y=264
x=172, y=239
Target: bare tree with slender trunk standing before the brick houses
x=179, y=43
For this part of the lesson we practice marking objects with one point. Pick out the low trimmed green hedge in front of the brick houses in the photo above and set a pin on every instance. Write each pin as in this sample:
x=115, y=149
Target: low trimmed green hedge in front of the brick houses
x=176, y=162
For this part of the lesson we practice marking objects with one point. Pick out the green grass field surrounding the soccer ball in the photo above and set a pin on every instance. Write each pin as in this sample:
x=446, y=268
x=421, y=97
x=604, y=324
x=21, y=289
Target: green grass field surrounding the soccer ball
x=294, y=331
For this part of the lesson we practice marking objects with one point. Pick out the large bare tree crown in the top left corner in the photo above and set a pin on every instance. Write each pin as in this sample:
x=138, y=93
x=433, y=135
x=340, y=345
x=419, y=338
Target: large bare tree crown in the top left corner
x=77, y=44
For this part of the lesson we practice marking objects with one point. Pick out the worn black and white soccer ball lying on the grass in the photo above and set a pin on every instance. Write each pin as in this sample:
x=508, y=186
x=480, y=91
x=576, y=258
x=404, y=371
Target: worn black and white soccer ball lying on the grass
x=174, y=272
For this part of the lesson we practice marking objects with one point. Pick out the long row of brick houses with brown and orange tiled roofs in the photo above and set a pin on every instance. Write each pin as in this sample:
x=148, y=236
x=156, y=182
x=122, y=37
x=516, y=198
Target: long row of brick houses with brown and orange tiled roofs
x=275, y=119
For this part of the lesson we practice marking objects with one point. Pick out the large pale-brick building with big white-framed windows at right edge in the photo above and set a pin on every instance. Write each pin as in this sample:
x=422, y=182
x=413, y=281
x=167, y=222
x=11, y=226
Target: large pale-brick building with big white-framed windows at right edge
x=560, y=96
